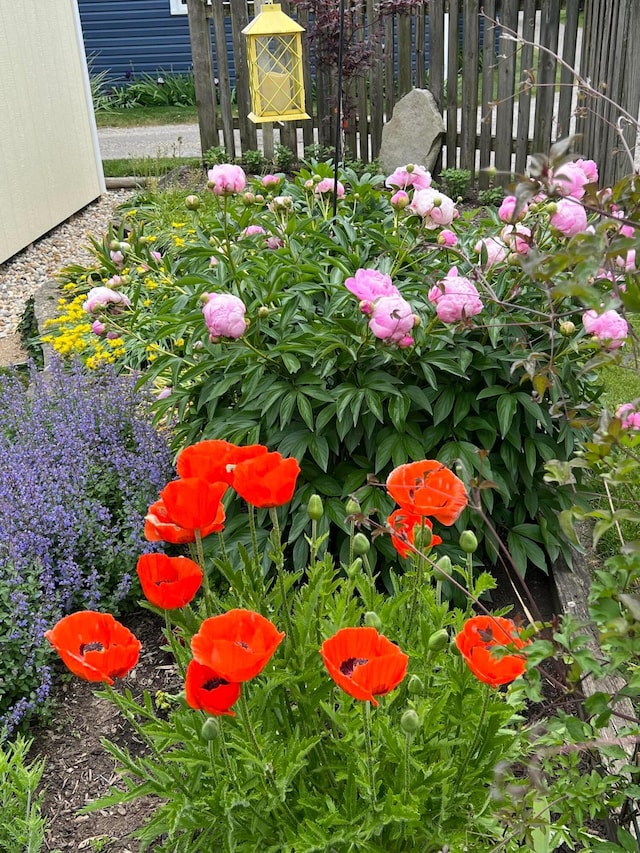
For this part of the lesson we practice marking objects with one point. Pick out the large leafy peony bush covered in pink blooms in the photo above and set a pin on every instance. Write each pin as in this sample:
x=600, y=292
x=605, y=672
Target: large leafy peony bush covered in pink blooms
x=401, y=328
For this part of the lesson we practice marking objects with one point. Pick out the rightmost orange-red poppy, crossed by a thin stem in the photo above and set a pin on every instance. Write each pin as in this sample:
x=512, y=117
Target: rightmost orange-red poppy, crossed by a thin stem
x=479, y=636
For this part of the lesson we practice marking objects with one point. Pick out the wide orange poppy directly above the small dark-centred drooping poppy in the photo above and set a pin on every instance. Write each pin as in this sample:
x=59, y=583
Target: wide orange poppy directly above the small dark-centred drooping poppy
x=236, y=645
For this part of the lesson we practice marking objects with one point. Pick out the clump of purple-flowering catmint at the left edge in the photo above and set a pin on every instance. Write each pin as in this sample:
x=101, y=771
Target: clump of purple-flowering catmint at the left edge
x=79, y=462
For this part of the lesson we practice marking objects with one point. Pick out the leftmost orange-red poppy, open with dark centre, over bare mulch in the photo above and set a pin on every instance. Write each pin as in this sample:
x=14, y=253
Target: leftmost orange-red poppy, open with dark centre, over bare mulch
x=94, y=646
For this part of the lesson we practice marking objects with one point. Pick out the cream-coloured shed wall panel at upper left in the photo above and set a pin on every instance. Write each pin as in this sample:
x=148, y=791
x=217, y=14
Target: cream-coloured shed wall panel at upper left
x=49, y=157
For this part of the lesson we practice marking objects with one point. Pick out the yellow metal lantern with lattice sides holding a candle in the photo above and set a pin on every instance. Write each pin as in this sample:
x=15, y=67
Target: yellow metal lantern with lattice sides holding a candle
x=274, y=48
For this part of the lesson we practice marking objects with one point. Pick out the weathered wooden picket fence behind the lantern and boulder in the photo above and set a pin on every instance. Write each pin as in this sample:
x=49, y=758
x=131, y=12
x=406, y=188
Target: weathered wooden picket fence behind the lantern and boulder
x=493, y=68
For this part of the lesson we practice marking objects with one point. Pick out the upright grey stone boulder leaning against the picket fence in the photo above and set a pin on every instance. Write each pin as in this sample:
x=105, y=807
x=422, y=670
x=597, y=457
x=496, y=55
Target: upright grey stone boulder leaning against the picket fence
x=413, y=134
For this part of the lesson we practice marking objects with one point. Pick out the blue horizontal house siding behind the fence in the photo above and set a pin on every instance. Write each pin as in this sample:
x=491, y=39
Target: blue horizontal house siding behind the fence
x=137, y=36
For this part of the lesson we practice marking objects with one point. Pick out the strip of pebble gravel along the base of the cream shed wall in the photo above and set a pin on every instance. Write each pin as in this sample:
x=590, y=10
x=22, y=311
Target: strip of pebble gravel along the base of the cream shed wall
x=22, y=275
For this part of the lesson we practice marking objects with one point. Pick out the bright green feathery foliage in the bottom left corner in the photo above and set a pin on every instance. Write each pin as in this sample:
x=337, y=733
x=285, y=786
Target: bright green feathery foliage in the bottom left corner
x=21, y=823
